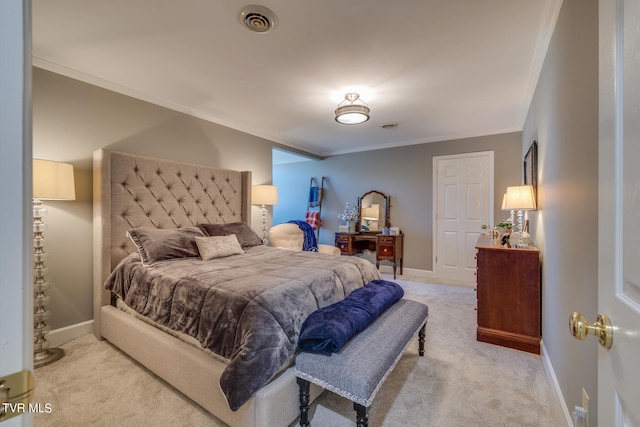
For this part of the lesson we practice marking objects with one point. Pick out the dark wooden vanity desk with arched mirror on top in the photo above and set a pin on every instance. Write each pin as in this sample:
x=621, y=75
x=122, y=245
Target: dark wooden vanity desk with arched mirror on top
x=374, y=217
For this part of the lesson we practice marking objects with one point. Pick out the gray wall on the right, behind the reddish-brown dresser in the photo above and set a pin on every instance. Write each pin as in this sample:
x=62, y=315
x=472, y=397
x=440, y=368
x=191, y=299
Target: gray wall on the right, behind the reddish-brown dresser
x=564, y=119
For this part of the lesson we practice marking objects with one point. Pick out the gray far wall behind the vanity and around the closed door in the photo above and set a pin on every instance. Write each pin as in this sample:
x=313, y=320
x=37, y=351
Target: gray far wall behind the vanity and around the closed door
x=404, y=173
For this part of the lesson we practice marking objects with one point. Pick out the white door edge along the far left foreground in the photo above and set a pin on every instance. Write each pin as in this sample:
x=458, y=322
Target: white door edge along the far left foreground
x=16, y=291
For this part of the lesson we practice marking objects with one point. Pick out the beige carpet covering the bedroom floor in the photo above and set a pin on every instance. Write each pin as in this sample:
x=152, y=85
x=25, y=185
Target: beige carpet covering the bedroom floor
x=459, y=382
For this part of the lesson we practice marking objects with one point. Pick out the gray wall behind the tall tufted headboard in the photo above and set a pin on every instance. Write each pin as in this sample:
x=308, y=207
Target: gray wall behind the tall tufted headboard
x=71, y=119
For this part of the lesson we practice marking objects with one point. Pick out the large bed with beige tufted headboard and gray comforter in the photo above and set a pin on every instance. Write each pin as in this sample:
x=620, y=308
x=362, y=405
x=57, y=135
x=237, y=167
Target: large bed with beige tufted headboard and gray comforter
x=142, y=193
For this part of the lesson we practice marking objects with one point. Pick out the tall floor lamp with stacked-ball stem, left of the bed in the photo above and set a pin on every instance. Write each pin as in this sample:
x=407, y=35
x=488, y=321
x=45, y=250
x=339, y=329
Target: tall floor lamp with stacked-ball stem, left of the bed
x=51, y=181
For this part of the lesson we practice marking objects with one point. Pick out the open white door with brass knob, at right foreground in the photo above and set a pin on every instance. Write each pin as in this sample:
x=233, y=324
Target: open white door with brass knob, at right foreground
x=619, y=212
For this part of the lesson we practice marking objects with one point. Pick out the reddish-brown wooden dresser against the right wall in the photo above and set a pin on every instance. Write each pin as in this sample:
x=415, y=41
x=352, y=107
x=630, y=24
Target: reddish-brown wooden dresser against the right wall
x=508, y=295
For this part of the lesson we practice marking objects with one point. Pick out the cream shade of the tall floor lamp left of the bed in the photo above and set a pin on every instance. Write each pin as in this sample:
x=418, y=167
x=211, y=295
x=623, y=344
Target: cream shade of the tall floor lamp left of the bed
x=53, y=180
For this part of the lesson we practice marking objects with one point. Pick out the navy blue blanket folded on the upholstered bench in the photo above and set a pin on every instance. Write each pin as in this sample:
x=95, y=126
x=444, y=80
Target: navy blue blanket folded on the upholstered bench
x=328, y=329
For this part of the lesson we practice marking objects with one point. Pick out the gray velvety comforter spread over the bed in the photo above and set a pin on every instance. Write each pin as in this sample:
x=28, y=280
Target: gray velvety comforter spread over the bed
x=246, y=308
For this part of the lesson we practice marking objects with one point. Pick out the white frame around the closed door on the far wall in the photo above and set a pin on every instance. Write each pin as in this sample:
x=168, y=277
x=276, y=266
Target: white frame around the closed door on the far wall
x=490, y=196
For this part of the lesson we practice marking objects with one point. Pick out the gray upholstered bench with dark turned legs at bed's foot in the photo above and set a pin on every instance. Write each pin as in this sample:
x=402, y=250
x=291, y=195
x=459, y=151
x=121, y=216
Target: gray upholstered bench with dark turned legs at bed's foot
x=358, y=370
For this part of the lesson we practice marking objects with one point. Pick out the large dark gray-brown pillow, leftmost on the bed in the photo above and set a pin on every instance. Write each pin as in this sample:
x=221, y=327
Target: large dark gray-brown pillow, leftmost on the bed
x=156, y=244
